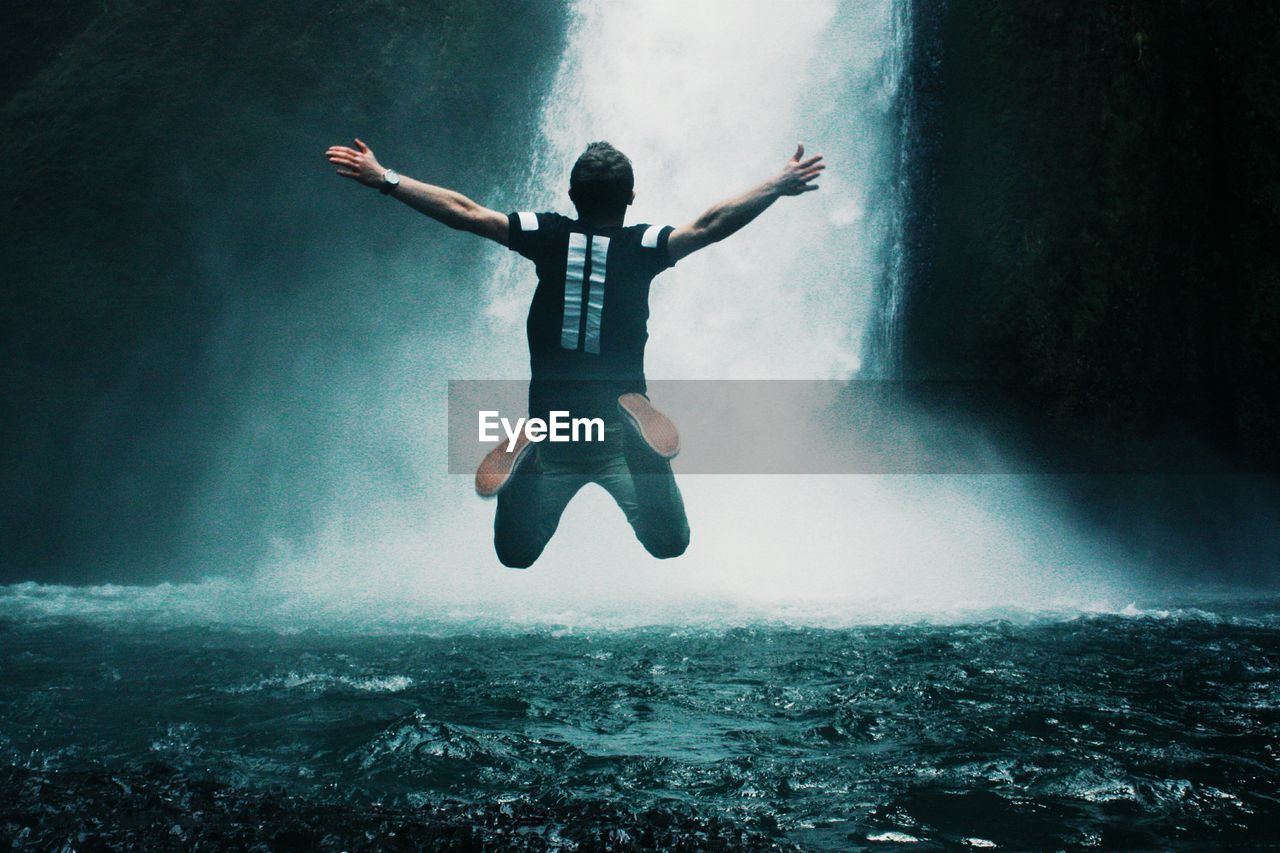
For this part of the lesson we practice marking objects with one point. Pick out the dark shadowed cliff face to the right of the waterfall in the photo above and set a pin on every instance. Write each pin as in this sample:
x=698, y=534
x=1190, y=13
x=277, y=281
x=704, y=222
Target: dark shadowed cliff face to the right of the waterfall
x=1096, y=218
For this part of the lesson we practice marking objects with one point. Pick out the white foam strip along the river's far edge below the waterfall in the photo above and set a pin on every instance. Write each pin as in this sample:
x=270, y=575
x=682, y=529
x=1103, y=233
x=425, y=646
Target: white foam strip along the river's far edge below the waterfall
x=272, y=601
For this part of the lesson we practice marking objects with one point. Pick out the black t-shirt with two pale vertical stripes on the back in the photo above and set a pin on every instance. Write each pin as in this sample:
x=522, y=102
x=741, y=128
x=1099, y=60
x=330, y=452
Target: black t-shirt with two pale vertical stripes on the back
x=588, y=323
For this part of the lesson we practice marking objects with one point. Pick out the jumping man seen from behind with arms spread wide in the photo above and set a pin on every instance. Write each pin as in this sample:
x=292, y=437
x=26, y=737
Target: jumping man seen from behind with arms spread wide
x=588, y=327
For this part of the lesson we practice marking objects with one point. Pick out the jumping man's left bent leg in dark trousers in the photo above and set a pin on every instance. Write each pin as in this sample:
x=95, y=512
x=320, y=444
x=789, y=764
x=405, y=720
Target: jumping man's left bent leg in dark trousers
x=529, y=510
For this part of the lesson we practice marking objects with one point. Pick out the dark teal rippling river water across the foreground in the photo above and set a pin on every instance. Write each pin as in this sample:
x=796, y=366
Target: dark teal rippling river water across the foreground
x=1132, y=729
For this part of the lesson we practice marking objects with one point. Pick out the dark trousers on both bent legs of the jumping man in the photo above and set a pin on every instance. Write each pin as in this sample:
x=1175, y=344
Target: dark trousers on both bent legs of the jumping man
x=642, y=482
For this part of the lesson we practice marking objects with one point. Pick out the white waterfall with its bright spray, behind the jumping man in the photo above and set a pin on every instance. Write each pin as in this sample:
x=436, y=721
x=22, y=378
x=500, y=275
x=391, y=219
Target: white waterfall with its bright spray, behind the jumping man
x=708, y=99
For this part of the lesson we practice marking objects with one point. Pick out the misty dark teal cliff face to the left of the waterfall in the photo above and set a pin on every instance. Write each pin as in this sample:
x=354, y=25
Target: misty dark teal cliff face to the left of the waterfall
x=177, y=249
